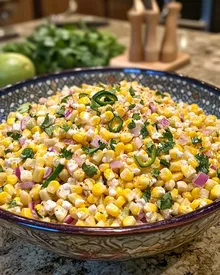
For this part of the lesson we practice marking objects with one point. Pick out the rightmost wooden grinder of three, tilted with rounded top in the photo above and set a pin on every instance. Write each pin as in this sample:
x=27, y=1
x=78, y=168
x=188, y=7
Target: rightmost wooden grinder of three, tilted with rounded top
x=169, y=50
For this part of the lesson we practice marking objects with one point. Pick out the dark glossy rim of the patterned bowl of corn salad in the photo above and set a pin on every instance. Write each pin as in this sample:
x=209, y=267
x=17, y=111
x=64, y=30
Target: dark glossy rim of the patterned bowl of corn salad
x=102, y=231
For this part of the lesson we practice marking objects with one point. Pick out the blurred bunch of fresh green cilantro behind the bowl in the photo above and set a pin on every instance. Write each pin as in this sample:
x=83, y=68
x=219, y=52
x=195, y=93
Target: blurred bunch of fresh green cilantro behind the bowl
x=54, y=48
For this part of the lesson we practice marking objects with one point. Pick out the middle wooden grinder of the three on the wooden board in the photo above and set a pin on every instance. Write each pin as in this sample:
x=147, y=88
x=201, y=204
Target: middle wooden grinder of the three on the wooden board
x=151, y=16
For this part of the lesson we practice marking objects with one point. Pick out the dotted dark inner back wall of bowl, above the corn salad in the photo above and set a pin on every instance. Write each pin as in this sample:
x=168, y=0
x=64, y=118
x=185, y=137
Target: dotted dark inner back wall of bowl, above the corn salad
x=180, y=88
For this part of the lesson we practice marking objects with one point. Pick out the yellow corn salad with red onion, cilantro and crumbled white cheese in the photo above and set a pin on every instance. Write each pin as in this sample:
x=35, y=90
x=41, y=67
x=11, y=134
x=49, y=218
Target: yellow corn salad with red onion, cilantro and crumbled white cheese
x=105, y=155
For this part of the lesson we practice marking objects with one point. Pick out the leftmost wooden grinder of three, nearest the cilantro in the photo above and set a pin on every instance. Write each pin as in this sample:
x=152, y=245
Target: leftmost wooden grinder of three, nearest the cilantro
x=136, y=18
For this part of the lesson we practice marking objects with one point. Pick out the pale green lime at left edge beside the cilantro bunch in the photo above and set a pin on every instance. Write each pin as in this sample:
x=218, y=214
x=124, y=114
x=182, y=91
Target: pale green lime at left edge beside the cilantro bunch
x=15, y=67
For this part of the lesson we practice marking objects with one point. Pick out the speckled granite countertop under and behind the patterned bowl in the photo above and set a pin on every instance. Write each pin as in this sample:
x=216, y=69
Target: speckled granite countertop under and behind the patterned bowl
x=202, y=257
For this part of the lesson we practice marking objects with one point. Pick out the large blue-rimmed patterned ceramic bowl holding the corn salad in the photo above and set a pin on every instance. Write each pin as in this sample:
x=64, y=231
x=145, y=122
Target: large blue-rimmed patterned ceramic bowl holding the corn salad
x=124, y=242
